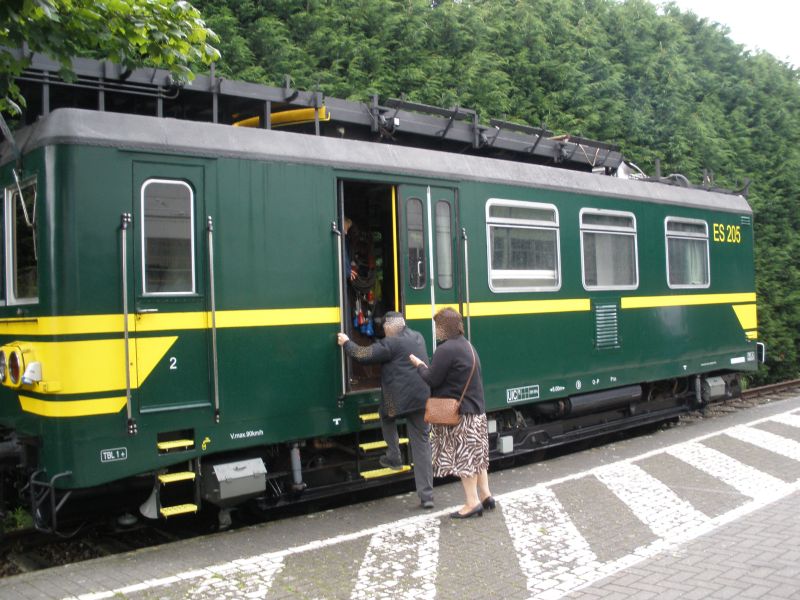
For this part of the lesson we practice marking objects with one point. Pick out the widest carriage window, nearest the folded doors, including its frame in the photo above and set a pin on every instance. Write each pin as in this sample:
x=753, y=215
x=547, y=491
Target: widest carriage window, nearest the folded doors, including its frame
x=523, y=246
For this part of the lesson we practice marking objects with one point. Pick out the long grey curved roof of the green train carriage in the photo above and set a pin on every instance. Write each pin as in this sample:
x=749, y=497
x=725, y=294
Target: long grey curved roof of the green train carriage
x=165, y=135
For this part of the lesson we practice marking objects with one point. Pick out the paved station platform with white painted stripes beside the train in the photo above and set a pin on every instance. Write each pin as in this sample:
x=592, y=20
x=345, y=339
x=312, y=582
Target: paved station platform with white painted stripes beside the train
x=704, y=509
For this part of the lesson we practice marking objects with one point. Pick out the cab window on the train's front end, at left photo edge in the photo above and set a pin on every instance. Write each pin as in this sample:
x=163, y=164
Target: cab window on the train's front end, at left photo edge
x=22, y=260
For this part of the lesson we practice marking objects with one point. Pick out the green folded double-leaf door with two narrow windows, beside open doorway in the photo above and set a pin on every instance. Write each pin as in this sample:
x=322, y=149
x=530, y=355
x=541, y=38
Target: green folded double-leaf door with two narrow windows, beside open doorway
x=429, y=260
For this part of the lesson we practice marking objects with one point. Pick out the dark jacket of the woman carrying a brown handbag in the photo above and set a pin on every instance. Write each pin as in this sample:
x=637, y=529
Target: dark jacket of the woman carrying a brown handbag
x=449, y=372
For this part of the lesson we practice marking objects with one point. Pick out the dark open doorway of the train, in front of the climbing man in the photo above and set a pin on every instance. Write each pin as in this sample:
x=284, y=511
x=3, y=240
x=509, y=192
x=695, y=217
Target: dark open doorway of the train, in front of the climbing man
x=371, y=248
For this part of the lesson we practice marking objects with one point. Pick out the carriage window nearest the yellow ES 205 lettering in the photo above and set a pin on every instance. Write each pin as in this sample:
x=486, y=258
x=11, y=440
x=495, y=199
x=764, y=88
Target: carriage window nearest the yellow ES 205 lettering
x=687, y=253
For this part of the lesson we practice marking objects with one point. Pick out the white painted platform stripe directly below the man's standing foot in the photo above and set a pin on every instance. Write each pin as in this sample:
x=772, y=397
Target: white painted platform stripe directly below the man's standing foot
x=401, y=563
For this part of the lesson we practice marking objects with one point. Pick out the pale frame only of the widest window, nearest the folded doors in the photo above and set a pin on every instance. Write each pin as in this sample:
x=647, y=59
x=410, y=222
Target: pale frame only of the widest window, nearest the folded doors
x=515, y=223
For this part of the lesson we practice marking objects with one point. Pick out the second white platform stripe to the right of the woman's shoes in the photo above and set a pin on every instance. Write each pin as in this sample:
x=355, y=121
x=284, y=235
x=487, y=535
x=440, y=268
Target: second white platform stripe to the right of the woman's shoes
x=651, y=501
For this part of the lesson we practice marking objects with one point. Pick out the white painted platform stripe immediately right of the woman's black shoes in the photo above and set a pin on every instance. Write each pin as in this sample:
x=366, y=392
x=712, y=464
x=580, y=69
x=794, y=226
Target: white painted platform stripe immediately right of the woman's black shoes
x=553, y=555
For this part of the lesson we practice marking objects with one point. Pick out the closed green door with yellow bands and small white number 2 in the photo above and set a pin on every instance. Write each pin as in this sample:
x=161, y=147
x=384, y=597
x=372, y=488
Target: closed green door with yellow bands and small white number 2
x=169, y=305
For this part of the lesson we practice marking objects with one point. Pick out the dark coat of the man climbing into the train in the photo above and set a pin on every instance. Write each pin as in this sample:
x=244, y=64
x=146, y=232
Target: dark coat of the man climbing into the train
x=403, y=390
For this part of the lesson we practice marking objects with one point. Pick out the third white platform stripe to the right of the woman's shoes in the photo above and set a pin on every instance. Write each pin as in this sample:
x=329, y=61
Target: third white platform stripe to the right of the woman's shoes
x=743, y=478
